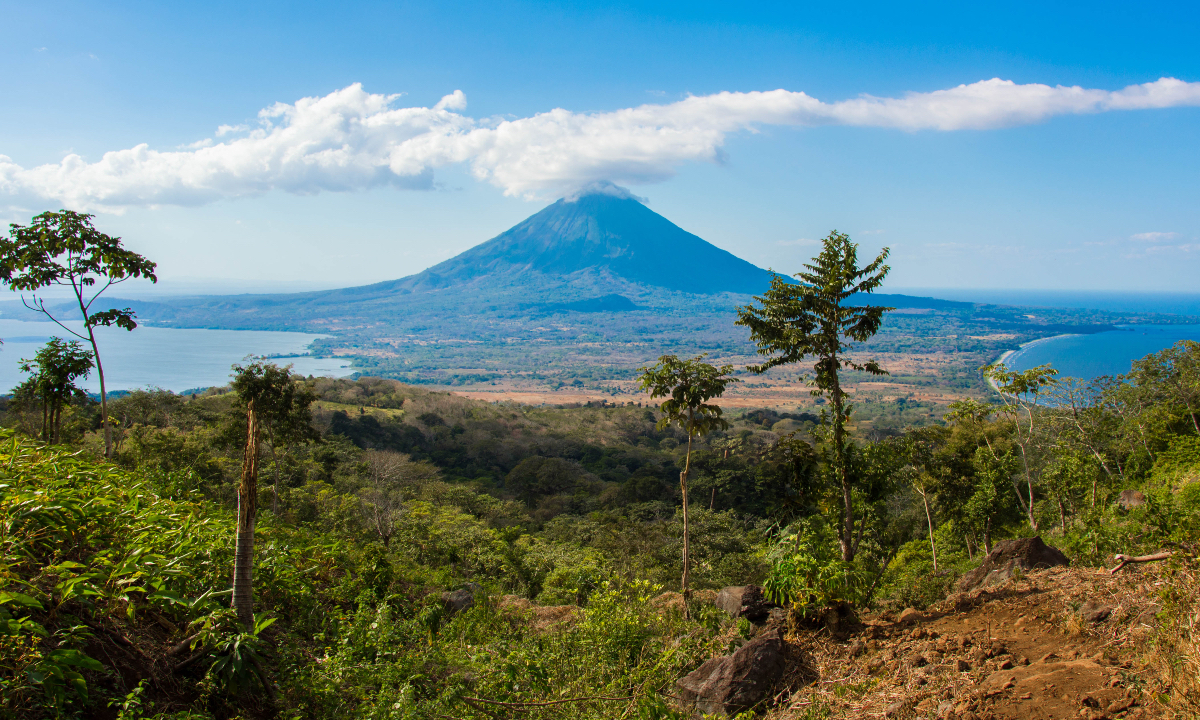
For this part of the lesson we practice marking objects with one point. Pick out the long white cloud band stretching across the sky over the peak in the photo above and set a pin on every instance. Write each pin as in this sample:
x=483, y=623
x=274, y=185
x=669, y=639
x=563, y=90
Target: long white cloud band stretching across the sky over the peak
x=351, y=140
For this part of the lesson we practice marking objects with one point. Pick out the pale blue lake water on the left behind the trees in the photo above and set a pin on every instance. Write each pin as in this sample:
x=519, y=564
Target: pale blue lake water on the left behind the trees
x=172, y=359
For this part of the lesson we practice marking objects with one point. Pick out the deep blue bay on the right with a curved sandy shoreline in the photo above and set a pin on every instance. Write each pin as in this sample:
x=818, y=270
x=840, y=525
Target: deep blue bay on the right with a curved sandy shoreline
x=1103, y=353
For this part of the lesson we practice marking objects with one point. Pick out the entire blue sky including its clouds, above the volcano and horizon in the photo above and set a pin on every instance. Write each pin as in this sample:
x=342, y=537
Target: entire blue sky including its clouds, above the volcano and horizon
x=1012, y=187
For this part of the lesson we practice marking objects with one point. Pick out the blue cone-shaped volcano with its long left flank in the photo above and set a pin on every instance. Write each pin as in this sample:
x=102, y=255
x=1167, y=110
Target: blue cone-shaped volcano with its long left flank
x=599, y=253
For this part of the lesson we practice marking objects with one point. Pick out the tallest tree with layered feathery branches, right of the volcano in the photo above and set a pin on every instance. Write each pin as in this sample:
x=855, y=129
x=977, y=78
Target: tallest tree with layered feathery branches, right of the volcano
x=811, y=320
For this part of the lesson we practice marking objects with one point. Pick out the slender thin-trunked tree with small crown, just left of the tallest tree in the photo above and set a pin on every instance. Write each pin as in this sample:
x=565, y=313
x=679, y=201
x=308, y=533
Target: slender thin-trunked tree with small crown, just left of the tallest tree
x=691, y=385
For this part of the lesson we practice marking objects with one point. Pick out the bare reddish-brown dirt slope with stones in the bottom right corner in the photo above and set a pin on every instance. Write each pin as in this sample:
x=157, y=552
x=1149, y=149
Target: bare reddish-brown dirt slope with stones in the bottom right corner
x=1054, y=644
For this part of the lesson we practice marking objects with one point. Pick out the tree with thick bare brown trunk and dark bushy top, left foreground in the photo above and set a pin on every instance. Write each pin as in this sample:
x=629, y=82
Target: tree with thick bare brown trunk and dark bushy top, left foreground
x=278, y=404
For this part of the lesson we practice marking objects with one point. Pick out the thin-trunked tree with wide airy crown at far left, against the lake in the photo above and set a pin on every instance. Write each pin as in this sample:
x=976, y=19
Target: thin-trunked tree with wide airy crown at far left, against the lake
x=64, y=249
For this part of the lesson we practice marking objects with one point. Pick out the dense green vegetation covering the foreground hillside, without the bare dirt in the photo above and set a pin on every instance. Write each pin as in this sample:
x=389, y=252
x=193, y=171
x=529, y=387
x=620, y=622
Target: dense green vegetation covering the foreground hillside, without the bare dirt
x=567, y=519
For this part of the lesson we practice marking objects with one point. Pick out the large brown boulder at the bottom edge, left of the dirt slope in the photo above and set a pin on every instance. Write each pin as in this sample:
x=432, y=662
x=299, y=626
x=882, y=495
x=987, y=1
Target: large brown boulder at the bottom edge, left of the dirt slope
x=736, y=683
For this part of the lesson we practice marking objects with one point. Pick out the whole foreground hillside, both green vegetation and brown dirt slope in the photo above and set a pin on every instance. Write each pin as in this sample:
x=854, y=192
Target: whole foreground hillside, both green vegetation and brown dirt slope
x=429, y=556
